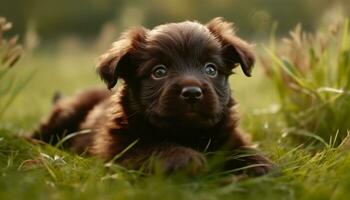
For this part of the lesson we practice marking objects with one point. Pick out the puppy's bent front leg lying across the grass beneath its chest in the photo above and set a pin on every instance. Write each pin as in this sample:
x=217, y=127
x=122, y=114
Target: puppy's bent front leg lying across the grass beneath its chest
x=169, y=158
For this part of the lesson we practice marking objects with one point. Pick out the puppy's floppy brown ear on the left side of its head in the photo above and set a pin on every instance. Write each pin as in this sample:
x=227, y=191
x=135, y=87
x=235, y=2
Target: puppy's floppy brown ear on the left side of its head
x=118, y=60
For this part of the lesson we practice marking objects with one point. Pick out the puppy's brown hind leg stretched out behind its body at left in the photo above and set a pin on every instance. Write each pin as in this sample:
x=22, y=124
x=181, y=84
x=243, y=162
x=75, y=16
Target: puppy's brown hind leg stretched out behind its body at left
x=67, y=114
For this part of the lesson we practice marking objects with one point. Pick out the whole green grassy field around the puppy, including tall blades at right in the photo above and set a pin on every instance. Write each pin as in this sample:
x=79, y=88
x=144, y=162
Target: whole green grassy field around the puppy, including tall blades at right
x=312, y=165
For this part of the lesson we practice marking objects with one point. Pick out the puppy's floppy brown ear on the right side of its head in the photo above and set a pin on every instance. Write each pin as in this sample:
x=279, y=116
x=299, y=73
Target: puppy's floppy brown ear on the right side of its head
x=235, y=50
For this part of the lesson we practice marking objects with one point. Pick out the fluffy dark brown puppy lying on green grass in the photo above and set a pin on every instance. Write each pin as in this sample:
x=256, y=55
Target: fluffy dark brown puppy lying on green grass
x=174, y=102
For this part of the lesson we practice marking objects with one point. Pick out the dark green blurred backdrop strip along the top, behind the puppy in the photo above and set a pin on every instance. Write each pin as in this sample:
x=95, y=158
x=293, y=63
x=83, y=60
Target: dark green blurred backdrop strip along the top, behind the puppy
x=53, y=20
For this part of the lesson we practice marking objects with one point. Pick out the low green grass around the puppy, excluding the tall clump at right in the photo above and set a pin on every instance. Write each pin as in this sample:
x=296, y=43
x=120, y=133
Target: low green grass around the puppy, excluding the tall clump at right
x=30, y=171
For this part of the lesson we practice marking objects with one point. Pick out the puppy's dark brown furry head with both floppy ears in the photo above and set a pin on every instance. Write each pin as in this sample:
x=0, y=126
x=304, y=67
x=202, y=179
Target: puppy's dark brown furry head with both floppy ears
x=177, y=74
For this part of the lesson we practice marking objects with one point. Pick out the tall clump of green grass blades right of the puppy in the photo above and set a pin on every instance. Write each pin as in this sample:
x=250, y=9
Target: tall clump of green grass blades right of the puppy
x=311, y=74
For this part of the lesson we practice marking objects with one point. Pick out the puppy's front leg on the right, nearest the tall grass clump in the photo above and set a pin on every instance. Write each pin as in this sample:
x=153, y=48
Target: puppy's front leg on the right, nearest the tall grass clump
x=246, y=159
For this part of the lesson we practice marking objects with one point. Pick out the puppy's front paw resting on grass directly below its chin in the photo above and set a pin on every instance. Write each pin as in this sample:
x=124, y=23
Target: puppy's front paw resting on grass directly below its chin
x=182, y=159
